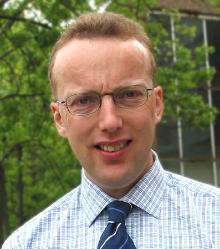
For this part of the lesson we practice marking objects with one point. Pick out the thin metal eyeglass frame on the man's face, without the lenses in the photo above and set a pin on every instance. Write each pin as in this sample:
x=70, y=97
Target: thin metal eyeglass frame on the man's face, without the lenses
x=100, y=96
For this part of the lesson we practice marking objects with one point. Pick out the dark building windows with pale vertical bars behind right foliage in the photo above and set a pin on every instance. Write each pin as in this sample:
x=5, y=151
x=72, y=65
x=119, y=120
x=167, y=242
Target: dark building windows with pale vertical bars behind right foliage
x=191, y=151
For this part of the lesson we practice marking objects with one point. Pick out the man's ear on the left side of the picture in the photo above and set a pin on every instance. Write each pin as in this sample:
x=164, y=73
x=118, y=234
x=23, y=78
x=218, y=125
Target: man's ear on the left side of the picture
x=58, y=119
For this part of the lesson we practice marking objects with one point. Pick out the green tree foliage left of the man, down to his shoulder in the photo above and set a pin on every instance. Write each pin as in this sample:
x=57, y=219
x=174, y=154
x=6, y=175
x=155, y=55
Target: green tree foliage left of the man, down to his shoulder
x=38, y=165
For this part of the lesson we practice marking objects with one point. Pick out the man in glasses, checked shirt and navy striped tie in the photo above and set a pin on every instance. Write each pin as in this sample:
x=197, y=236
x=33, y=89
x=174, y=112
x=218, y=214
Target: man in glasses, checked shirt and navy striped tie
x=107, y=106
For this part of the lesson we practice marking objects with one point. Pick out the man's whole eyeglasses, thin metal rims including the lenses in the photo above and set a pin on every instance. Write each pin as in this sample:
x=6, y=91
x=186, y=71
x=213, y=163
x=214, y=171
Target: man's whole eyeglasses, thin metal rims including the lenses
x=83, y=104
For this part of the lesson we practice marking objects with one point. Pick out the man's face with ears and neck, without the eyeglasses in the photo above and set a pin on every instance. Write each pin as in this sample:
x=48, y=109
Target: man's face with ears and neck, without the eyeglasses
x=102, y=65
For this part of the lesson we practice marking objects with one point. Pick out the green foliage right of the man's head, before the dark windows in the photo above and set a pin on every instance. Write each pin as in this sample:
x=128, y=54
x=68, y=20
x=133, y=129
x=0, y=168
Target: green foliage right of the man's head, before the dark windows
x=182, y=79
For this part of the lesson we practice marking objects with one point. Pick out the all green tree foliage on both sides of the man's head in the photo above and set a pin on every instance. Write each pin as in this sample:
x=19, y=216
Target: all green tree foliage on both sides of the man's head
x=39, y=166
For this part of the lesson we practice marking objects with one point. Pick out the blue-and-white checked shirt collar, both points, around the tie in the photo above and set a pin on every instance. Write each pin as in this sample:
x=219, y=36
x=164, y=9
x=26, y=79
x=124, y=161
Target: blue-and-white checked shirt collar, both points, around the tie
x=146, y=194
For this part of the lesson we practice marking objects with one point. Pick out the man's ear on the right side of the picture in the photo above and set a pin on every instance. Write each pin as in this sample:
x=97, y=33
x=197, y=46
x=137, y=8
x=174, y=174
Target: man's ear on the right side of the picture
x=159, y=106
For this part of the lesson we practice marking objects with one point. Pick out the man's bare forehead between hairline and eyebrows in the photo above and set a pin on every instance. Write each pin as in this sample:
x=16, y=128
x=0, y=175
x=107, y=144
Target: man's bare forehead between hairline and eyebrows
x=101, y=61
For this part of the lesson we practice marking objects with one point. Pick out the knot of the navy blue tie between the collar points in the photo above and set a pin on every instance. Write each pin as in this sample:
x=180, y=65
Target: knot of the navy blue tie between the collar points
x=118, y=211
